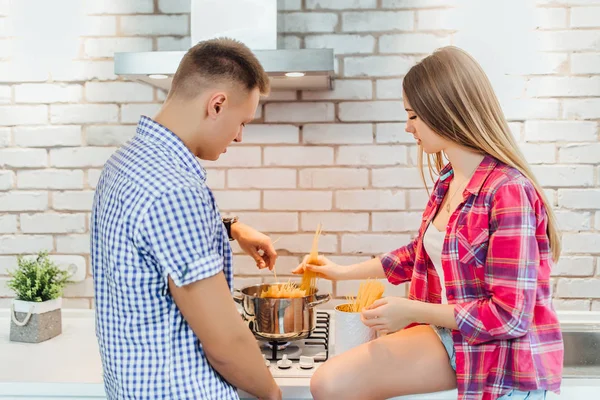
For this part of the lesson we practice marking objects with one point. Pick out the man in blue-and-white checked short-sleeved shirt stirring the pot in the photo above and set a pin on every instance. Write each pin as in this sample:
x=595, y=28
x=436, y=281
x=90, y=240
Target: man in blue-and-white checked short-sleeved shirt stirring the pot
x=166, y=322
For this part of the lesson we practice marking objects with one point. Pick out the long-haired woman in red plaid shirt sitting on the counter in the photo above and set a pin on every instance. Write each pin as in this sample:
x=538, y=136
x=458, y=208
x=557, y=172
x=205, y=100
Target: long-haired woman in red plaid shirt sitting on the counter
x=479, y=307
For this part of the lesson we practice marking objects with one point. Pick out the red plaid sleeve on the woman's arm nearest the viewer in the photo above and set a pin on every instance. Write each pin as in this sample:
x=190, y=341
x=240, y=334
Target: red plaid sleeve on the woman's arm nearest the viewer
x=510, y=270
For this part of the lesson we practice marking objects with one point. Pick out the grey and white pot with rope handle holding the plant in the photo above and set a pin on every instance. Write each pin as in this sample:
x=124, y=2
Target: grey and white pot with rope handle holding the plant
x=35, y=322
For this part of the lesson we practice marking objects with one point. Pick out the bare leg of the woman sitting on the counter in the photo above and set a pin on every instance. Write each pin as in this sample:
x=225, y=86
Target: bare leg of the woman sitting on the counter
x=410, y=361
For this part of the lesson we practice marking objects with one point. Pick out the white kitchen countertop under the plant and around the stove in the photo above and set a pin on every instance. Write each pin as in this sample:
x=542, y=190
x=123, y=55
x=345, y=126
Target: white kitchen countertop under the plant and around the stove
x=68, y=366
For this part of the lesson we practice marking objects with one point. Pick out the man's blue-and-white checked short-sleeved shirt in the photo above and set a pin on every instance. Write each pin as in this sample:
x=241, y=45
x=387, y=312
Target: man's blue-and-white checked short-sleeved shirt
x=154, y=217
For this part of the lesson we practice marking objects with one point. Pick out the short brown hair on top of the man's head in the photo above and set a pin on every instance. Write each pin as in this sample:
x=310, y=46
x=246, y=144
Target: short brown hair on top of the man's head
x=220, y=60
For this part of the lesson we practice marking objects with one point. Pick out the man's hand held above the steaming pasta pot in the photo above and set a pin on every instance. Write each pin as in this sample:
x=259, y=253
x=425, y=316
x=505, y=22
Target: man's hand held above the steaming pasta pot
x=257, y=245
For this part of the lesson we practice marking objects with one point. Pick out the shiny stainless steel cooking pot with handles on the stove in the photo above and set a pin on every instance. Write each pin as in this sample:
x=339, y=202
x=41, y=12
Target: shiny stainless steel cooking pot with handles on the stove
x=278, y=319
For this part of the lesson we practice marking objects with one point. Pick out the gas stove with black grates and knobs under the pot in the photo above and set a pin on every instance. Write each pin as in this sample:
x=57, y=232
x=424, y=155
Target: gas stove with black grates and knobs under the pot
x=300, y=358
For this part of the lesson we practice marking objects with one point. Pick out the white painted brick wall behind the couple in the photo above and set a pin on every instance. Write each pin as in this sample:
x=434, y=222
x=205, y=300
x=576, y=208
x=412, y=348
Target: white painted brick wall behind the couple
x=339, y=157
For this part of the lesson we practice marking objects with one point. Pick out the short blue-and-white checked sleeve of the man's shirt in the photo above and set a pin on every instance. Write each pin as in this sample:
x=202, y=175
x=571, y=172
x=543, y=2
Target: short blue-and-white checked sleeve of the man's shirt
x=178, y=231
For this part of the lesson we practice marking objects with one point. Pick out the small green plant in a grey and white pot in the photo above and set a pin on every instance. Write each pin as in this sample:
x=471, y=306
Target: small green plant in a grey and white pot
x=36, y=311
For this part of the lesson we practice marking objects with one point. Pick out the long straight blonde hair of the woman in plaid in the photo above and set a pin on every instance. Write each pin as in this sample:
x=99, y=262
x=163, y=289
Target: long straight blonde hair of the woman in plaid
x=451, y=93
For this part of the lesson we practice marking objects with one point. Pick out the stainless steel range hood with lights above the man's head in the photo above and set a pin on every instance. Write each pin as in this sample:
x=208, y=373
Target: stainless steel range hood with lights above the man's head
x=254, y=22
